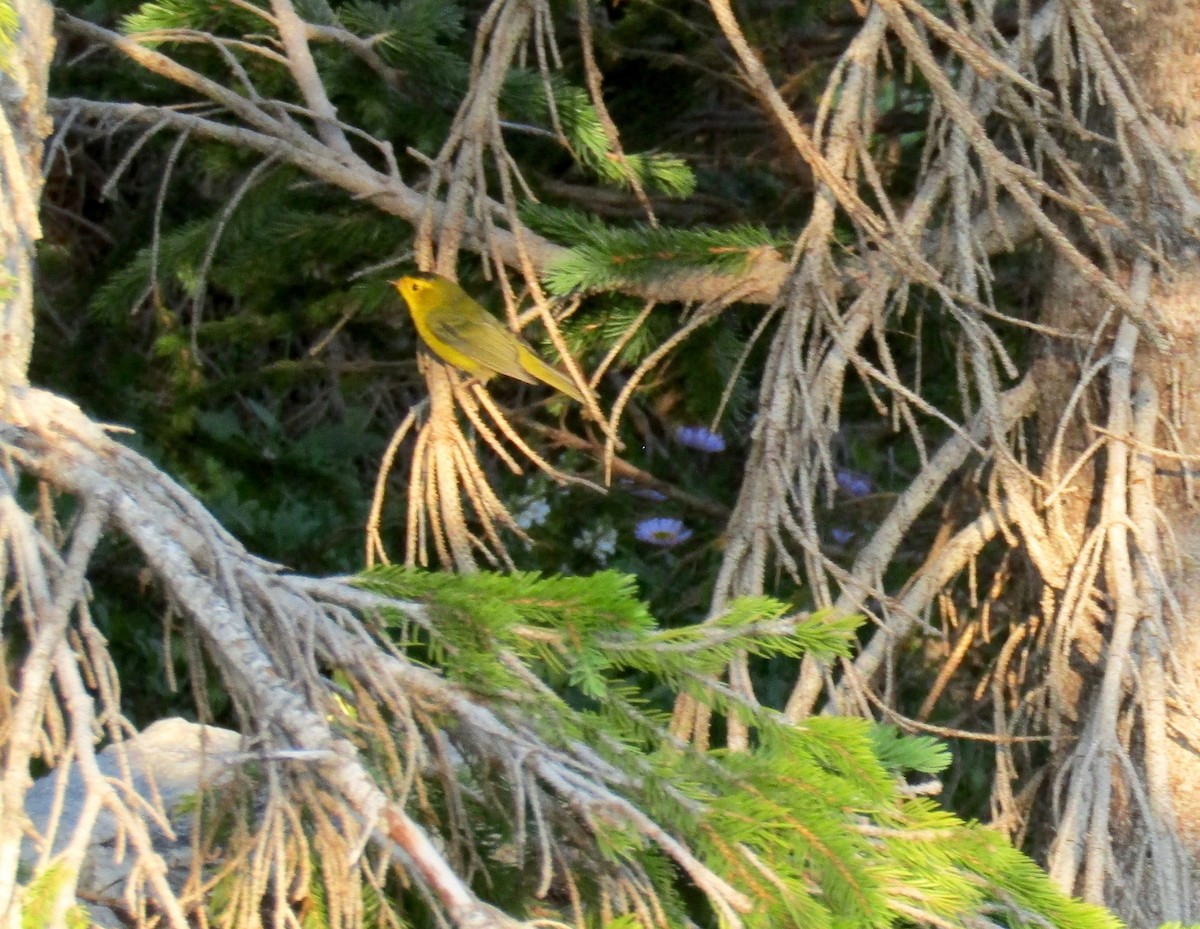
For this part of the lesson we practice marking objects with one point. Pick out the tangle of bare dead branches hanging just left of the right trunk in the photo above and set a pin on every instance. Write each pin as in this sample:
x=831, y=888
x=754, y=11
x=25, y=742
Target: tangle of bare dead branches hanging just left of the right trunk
x=763, y=530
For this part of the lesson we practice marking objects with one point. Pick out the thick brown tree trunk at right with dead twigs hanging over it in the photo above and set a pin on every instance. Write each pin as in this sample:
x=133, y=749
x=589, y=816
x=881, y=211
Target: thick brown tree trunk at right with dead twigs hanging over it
x=1125, y=668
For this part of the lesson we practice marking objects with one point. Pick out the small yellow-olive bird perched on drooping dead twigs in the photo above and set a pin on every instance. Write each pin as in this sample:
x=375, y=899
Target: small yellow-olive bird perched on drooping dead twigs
x=461, y=332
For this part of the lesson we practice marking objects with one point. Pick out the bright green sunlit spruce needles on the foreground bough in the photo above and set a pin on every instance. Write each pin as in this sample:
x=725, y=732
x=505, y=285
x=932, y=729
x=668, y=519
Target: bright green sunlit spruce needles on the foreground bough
x=815, y=806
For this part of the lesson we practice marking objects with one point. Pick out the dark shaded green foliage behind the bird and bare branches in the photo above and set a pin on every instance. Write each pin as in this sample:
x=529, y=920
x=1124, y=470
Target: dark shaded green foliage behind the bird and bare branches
x=242, y=322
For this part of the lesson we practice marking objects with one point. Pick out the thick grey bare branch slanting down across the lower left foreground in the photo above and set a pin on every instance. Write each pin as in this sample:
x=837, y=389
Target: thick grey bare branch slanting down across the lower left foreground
x=177, y=547
